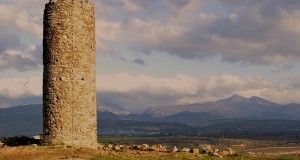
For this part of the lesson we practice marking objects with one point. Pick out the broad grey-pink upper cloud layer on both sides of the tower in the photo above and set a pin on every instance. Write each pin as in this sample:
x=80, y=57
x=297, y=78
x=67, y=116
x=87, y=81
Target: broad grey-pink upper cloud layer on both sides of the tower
x=255, y=32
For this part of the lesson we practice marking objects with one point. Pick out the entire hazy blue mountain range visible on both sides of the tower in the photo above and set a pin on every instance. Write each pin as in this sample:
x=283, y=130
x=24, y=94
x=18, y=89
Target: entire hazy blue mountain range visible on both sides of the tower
x=231, y=115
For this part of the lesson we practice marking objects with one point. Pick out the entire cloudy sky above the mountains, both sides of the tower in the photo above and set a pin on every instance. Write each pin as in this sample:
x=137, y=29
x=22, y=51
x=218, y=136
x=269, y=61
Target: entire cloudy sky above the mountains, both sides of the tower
x=165, y=52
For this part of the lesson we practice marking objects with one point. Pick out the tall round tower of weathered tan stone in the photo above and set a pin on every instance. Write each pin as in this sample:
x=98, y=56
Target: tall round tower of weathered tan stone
x=69, y=85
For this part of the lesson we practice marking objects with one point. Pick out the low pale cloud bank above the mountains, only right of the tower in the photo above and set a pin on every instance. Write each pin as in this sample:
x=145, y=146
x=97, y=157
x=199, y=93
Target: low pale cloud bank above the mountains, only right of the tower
x=141, y=91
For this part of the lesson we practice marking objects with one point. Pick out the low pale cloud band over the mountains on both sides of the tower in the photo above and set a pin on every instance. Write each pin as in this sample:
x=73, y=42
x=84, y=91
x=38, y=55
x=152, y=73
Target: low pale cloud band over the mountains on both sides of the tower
x=138, y=92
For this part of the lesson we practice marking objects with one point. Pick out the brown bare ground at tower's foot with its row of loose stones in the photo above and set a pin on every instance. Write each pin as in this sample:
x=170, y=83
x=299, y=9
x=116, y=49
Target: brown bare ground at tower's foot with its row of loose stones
x=23, y=148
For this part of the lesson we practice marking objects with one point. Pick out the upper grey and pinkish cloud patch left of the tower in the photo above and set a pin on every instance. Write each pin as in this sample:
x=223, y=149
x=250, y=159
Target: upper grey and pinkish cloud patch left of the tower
x=15, y=53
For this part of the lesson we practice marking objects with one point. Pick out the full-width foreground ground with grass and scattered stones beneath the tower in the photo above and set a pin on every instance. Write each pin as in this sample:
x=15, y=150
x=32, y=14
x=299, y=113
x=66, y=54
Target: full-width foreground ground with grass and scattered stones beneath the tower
x=11, y=150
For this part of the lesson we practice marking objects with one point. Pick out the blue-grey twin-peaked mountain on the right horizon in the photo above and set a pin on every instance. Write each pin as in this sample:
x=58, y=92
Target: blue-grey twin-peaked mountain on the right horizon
x=234, y=107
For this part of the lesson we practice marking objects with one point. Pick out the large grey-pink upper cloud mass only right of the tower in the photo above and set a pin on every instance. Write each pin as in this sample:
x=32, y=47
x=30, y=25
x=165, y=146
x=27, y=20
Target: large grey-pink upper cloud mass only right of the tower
x=255, y=32
